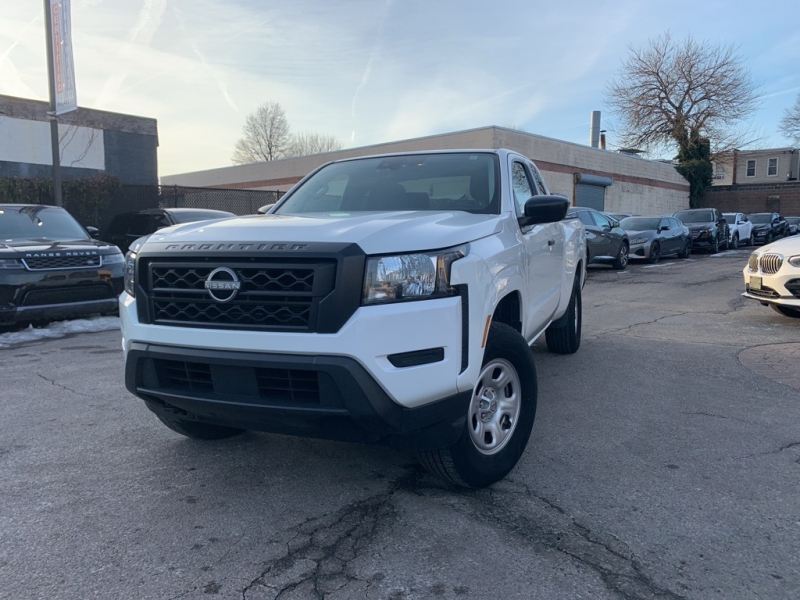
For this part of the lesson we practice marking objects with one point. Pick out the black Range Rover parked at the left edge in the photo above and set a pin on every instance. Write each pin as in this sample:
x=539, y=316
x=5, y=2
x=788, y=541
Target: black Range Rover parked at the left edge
x=50, y=268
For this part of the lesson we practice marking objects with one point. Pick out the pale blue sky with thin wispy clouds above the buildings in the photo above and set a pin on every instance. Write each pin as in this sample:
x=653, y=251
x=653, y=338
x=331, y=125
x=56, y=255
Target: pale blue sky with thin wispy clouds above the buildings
x=372, y=71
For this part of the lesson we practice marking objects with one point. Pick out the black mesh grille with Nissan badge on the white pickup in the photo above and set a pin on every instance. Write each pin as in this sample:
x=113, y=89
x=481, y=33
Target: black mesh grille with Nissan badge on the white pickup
x=275, y=296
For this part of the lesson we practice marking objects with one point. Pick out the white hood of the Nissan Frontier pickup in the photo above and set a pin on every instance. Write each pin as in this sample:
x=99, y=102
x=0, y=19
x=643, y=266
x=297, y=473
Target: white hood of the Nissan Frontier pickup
x=374, y=232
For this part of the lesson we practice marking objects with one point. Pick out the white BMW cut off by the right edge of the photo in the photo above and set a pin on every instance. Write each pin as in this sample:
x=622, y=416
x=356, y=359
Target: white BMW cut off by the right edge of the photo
x=772, y=276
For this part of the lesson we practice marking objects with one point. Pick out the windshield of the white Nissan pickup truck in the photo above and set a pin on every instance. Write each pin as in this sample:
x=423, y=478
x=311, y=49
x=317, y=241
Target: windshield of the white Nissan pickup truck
x=464, y=181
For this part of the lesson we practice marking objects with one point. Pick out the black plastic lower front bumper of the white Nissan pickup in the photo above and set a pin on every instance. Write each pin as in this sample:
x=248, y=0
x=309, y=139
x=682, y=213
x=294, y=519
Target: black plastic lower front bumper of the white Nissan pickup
x=330, y=397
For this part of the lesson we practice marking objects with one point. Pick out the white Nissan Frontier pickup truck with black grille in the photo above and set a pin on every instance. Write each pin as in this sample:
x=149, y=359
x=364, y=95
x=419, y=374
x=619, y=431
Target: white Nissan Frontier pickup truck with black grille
x=384, y=299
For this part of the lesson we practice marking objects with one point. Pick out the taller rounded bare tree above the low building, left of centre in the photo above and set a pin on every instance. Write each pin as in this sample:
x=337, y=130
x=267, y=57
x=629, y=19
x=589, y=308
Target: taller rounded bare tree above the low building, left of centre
x=265, y=135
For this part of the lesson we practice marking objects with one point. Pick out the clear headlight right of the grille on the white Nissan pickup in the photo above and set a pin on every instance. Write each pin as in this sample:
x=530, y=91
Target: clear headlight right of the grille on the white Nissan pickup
x=418, y=276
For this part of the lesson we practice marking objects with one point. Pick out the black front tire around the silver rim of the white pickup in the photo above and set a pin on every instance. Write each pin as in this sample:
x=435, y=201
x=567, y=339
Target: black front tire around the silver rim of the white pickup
x=463, y=463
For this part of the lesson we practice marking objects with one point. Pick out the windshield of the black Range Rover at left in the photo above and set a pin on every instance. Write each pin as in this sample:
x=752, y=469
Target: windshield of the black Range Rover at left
x=38, y=223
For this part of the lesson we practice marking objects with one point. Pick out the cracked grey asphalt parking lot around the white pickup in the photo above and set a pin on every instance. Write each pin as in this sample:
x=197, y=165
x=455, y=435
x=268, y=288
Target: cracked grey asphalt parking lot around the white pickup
x=664, y=463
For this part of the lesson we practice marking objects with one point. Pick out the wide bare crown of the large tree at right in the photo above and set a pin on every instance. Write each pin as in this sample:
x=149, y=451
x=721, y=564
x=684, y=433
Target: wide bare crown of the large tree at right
x=672, y=94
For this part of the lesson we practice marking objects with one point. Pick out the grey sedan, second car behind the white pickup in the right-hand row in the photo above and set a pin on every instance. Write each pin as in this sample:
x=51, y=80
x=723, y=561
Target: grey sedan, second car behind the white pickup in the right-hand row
x=653, y=237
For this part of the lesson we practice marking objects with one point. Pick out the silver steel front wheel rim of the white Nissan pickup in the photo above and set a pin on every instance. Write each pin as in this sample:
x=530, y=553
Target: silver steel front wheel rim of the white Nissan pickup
x=494, y=408
